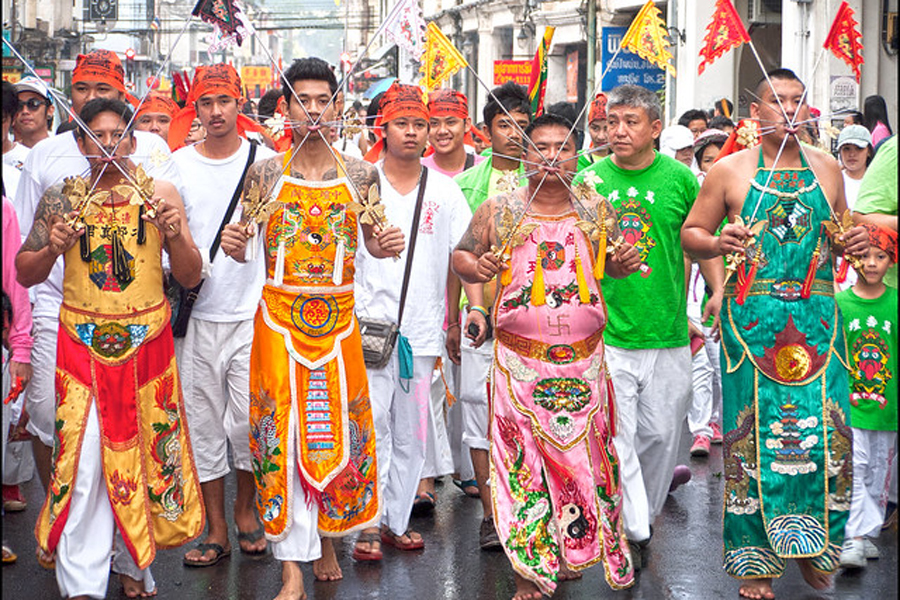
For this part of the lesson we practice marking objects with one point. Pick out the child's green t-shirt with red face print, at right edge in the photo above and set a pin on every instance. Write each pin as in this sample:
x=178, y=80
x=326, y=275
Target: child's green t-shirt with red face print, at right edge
x=871, y=328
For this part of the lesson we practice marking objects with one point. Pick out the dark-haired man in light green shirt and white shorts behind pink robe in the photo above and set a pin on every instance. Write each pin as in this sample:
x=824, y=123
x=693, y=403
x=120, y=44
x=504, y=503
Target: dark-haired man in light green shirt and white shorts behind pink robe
x=506, y=115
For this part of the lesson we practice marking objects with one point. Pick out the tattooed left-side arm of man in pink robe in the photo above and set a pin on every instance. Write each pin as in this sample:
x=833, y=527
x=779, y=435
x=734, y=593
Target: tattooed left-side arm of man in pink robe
x=472, y=260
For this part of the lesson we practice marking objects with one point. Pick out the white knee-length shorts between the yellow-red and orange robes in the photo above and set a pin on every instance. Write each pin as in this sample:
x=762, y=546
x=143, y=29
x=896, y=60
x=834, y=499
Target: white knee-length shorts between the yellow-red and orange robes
x=214, y=364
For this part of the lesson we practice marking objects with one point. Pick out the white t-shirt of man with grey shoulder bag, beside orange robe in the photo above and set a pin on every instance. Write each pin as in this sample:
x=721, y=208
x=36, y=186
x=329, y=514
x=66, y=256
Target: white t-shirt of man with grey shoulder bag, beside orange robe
x=443, y=221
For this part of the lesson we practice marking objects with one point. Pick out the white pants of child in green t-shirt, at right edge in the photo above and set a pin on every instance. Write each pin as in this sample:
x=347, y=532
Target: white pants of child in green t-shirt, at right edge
x=873, y=455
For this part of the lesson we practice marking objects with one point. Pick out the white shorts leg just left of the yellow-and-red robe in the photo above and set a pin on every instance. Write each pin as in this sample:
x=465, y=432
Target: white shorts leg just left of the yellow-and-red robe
x=40, y=398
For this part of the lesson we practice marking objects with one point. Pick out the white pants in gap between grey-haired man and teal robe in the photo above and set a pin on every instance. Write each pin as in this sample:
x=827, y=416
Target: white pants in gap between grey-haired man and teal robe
x=706, y=384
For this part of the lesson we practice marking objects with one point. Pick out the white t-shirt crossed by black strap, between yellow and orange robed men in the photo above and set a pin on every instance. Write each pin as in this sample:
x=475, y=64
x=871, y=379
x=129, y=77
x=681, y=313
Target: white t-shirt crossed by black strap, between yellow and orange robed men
x=232, y=290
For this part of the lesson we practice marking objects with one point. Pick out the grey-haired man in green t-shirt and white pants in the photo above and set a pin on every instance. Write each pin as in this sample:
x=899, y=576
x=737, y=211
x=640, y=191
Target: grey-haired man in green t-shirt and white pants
x=647, y=334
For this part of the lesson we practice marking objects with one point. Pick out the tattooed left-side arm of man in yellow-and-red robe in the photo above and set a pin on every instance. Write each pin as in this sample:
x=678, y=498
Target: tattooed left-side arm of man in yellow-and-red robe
x=48, y=239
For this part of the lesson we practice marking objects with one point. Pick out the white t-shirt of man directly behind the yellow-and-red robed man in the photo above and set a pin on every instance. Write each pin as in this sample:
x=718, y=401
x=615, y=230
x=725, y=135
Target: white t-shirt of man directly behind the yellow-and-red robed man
x=57, y=157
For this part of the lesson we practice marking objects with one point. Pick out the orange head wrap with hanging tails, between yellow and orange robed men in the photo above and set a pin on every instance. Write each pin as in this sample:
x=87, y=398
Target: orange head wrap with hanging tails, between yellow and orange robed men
x=218, y=79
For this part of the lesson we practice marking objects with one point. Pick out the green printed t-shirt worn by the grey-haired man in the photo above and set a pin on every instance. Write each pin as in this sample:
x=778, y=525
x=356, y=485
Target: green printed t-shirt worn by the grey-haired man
x=648, y=309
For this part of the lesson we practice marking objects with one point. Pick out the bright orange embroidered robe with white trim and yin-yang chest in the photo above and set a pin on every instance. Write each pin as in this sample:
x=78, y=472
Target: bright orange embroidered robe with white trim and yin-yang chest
x=309, y=395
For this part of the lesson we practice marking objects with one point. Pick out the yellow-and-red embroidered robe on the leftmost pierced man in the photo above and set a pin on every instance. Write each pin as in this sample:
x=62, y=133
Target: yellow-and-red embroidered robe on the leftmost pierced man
x=115, y=349
